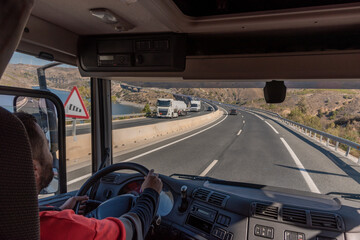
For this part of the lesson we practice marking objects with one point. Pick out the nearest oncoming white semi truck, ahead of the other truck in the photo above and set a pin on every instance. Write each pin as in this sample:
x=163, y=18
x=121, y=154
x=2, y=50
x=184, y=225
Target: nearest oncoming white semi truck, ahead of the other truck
x=170, y=108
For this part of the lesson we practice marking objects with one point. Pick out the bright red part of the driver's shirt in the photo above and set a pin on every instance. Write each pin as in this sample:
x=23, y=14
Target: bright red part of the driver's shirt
x=67, y=225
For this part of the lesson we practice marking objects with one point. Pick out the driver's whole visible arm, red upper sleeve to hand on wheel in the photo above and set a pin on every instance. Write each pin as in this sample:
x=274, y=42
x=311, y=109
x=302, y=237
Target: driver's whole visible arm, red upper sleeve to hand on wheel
x=133, y=225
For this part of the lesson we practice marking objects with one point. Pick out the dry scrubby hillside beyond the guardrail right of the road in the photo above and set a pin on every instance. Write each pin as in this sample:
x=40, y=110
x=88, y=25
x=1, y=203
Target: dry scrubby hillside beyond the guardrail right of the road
x=336, y=111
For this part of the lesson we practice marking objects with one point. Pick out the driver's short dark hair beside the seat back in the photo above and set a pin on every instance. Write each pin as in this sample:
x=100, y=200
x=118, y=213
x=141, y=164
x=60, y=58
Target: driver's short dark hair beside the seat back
x=29, y=122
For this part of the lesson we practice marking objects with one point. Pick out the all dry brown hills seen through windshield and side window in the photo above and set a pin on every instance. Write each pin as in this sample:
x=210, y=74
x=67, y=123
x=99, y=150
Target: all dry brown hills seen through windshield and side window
x=335, y=111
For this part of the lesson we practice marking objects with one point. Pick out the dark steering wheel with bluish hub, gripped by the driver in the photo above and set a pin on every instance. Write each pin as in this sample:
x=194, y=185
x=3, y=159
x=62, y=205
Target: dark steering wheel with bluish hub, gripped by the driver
x=116, y=206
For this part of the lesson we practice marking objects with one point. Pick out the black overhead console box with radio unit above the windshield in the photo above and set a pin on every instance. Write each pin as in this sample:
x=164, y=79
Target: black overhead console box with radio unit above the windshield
x=163, y=52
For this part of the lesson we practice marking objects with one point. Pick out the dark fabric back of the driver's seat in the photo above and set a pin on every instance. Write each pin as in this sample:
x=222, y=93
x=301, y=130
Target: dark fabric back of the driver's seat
x=19, y=214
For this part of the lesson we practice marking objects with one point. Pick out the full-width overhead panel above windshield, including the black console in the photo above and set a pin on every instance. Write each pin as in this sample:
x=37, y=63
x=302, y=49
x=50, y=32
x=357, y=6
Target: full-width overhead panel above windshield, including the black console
x=174, y=57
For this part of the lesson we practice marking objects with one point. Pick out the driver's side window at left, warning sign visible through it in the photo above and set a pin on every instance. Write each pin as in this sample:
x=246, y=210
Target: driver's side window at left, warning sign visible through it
x=62, y=80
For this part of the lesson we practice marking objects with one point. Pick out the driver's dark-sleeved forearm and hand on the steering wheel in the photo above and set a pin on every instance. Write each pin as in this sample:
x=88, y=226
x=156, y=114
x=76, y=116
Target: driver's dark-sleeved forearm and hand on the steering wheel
x=137, y=221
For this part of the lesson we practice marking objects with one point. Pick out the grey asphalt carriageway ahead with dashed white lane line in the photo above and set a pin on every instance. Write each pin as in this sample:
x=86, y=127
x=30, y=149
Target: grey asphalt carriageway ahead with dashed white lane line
x=249, y=148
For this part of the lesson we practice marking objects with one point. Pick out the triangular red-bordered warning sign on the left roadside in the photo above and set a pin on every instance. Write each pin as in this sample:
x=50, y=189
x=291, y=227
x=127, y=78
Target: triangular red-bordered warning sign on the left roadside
x=74, y=106
